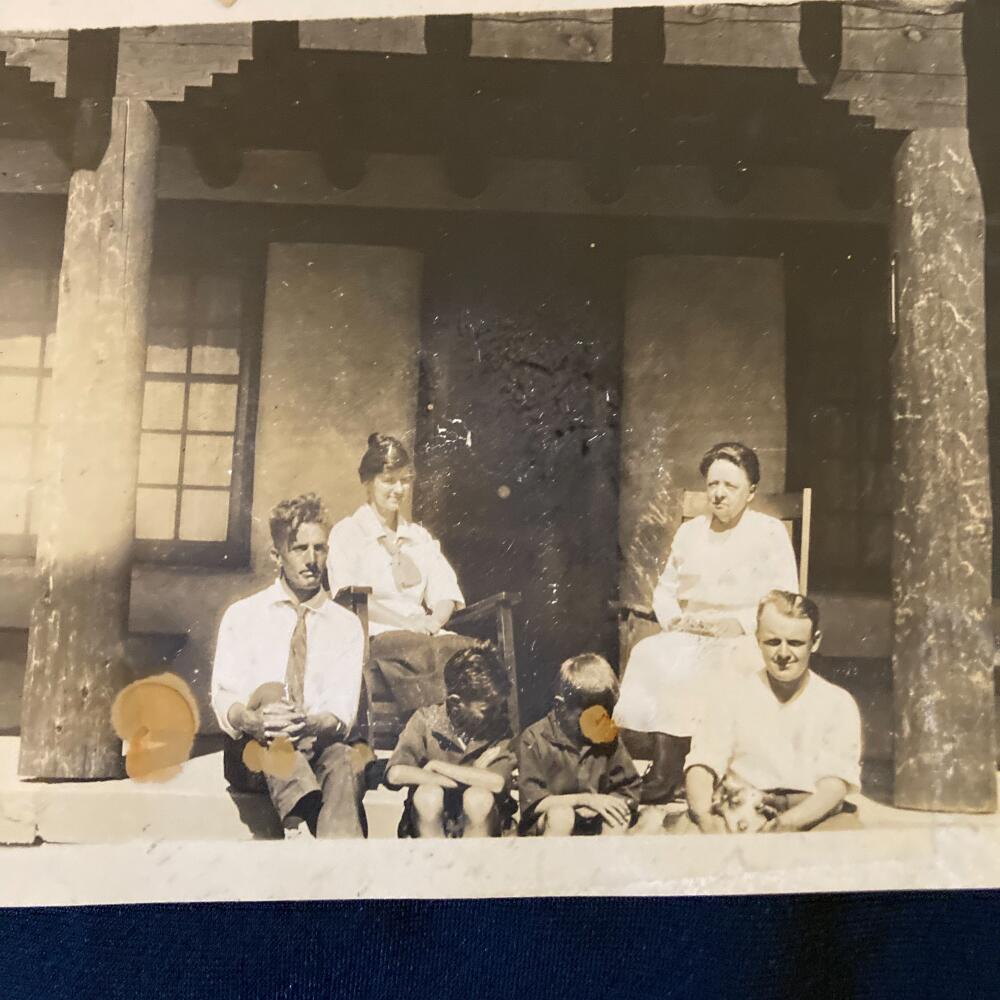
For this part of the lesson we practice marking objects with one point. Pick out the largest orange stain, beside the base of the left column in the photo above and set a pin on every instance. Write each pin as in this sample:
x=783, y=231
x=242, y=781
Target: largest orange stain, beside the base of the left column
x=156, y=719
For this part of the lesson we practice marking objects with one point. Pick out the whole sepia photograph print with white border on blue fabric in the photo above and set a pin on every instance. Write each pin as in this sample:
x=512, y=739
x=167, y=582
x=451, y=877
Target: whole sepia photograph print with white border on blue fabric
x=500, y=427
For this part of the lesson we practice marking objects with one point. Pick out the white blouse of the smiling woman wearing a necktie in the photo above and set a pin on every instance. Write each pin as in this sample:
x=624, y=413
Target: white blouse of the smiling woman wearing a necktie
x=358, y=558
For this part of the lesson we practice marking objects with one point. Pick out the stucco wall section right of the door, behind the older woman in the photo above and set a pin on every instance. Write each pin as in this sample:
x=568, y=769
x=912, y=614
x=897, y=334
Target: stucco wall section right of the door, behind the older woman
x=704, y=362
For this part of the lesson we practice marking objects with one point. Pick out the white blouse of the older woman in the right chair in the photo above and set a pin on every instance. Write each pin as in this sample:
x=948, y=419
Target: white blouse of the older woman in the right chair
x=724, y=574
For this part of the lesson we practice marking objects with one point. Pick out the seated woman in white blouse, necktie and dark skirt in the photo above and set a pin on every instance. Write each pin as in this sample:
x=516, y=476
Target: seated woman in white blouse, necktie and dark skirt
x=414, y=589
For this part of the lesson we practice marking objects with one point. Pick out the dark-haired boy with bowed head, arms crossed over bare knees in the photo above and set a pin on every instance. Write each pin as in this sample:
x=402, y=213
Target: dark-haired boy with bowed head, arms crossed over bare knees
x=456, y=757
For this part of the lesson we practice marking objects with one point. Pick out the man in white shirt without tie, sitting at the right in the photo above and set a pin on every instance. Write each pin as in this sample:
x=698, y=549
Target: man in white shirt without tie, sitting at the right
x=784, y=731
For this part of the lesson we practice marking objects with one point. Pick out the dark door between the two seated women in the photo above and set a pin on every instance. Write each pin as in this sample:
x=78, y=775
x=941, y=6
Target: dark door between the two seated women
x=518, y=433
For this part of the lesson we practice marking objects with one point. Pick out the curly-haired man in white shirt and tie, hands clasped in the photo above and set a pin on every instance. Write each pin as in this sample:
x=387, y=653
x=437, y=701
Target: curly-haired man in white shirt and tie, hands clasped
x=287, y=677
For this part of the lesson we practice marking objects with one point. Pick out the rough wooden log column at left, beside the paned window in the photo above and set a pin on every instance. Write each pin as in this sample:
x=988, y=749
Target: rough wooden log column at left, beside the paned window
x=85, y=539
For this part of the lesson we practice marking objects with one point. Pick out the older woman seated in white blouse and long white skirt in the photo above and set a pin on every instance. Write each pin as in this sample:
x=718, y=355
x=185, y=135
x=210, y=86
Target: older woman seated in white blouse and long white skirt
x=720, y=565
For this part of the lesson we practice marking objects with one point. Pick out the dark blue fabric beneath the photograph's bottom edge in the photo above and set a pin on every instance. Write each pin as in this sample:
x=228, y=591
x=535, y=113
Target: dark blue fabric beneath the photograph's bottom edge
x=880, y=945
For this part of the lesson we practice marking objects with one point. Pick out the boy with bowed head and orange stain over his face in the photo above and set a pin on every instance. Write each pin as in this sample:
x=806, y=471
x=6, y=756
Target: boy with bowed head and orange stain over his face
x=574, y=774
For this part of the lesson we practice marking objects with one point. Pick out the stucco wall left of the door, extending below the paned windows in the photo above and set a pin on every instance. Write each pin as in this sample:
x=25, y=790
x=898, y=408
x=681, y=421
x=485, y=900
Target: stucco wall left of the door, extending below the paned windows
x=340, y=344
